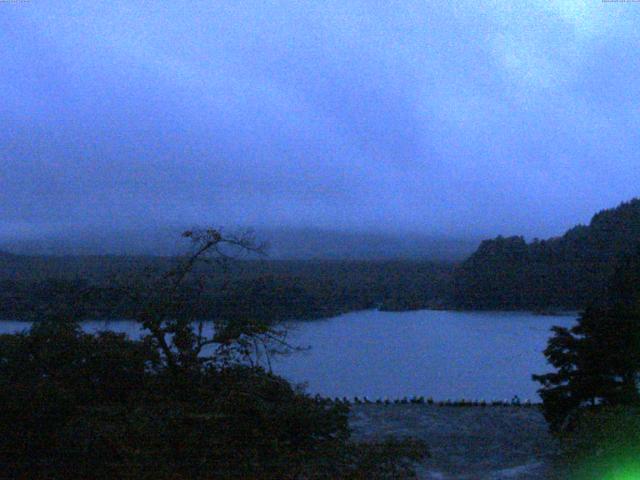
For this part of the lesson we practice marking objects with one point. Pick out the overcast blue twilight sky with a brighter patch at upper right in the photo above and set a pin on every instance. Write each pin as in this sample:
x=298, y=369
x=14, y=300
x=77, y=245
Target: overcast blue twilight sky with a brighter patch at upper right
x=464, y=118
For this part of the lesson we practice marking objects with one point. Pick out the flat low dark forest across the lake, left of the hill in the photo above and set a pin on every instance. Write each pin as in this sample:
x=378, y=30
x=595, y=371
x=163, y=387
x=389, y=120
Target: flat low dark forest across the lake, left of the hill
x=279, y=290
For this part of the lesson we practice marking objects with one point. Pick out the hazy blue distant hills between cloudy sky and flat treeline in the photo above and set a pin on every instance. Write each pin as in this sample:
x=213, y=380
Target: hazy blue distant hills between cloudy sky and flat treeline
x=282, y=243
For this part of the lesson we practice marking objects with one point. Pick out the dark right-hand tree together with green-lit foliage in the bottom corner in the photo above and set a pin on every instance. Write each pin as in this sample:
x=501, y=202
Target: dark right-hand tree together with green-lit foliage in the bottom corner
x=592, y=400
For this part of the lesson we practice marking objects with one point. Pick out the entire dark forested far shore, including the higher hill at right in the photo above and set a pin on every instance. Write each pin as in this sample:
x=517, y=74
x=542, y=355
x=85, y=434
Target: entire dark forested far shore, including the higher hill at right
x=566, y=272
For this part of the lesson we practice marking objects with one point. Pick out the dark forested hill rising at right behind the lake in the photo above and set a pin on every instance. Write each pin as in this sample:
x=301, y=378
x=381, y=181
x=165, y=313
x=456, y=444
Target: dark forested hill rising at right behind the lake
x=562, y=272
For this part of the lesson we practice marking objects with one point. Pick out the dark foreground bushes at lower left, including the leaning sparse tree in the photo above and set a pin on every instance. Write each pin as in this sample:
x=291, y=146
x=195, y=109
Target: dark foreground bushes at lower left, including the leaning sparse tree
x=176, y=404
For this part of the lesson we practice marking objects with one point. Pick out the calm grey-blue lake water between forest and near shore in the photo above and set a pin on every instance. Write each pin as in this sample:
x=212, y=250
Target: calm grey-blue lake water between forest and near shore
x=439, y=354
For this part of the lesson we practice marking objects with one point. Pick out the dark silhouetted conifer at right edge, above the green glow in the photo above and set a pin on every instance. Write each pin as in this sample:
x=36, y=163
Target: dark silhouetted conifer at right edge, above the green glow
x=598, y=360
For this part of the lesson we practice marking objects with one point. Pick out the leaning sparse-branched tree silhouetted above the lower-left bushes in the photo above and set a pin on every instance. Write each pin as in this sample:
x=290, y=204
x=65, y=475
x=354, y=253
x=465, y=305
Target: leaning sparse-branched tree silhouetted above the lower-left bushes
x=168, y=306
